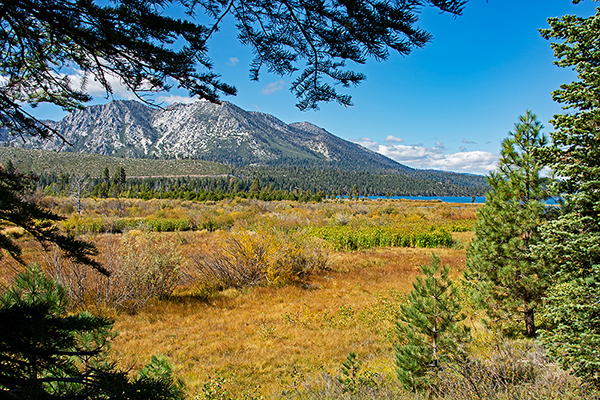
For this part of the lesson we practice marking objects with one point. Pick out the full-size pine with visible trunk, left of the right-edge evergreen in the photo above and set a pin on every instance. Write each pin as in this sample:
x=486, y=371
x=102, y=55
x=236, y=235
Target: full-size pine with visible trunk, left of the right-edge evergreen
x=508, y=281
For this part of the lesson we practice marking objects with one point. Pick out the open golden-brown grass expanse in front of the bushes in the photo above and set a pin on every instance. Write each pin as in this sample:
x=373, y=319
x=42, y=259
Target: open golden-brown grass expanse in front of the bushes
x=267, y=336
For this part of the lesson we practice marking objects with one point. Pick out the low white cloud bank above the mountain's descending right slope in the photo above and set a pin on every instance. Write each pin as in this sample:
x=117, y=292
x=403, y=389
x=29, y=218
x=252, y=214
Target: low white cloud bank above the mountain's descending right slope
x=418, y=156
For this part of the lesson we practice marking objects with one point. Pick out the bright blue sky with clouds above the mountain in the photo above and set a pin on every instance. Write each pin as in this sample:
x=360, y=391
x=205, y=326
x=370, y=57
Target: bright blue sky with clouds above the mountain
x=446, y=106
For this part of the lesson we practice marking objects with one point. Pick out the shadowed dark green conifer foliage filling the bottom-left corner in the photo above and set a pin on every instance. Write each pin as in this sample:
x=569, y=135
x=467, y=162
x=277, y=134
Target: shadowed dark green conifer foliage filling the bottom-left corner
x=49, y=353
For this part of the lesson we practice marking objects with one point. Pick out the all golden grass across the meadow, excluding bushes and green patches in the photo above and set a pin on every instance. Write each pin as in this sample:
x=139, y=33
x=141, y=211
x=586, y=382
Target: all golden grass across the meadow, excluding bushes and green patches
x=276, y=337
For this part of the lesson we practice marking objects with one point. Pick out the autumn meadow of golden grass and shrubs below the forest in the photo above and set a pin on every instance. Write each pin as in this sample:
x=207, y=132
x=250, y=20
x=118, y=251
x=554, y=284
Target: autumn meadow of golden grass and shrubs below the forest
x=252, y=299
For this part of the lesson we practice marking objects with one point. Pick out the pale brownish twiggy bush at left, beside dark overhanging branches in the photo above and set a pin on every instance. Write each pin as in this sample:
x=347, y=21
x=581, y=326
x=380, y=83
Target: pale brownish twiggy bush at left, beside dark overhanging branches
x=142, y=267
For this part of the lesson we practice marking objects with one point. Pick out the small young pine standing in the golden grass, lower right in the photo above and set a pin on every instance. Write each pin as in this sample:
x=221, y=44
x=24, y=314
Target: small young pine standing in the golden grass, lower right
x=429, y=331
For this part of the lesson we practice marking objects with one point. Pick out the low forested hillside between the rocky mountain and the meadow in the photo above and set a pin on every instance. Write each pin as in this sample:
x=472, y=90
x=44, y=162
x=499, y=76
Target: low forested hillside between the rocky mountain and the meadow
x=154, y=177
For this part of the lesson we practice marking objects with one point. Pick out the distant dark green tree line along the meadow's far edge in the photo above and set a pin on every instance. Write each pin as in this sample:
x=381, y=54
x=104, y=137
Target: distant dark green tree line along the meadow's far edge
x=289, y=183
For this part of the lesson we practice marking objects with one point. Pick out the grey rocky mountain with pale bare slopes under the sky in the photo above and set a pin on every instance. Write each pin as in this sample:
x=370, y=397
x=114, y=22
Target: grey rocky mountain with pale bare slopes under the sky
x=202, y=130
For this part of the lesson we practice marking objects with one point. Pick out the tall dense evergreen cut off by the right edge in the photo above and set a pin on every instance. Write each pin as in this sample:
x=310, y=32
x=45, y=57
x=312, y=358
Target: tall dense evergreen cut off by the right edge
x=571, y=242
